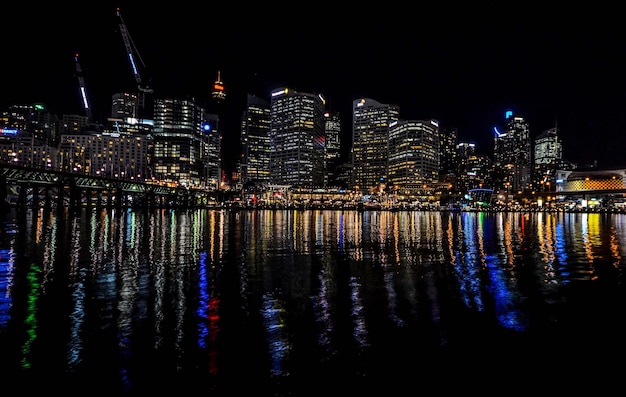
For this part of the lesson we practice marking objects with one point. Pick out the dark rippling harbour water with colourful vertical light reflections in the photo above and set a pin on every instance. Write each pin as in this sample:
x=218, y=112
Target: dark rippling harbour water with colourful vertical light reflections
x=290, y=303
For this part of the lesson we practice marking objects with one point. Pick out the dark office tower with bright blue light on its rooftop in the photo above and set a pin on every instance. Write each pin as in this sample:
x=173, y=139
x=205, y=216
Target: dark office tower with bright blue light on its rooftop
x=512, y=155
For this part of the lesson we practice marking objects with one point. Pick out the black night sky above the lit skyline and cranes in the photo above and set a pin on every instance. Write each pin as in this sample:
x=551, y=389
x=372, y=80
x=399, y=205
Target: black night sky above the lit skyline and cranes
x=464, y=67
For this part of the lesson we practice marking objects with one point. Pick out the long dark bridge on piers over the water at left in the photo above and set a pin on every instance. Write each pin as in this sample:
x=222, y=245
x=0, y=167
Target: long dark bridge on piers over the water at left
x=35, y=187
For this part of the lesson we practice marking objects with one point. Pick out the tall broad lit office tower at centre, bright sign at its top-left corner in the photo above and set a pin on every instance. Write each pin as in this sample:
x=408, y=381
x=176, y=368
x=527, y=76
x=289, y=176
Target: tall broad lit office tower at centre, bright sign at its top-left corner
x=296, y=138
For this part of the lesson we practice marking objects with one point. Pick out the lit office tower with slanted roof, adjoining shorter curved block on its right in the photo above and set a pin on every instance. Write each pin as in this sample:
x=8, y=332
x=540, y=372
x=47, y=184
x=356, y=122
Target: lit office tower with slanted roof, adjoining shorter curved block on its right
x=370, y=139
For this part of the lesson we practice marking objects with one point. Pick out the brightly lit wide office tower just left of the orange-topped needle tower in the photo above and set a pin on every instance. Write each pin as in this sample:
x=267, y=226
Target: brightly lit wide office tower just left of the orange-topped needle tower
x=179, y=142
